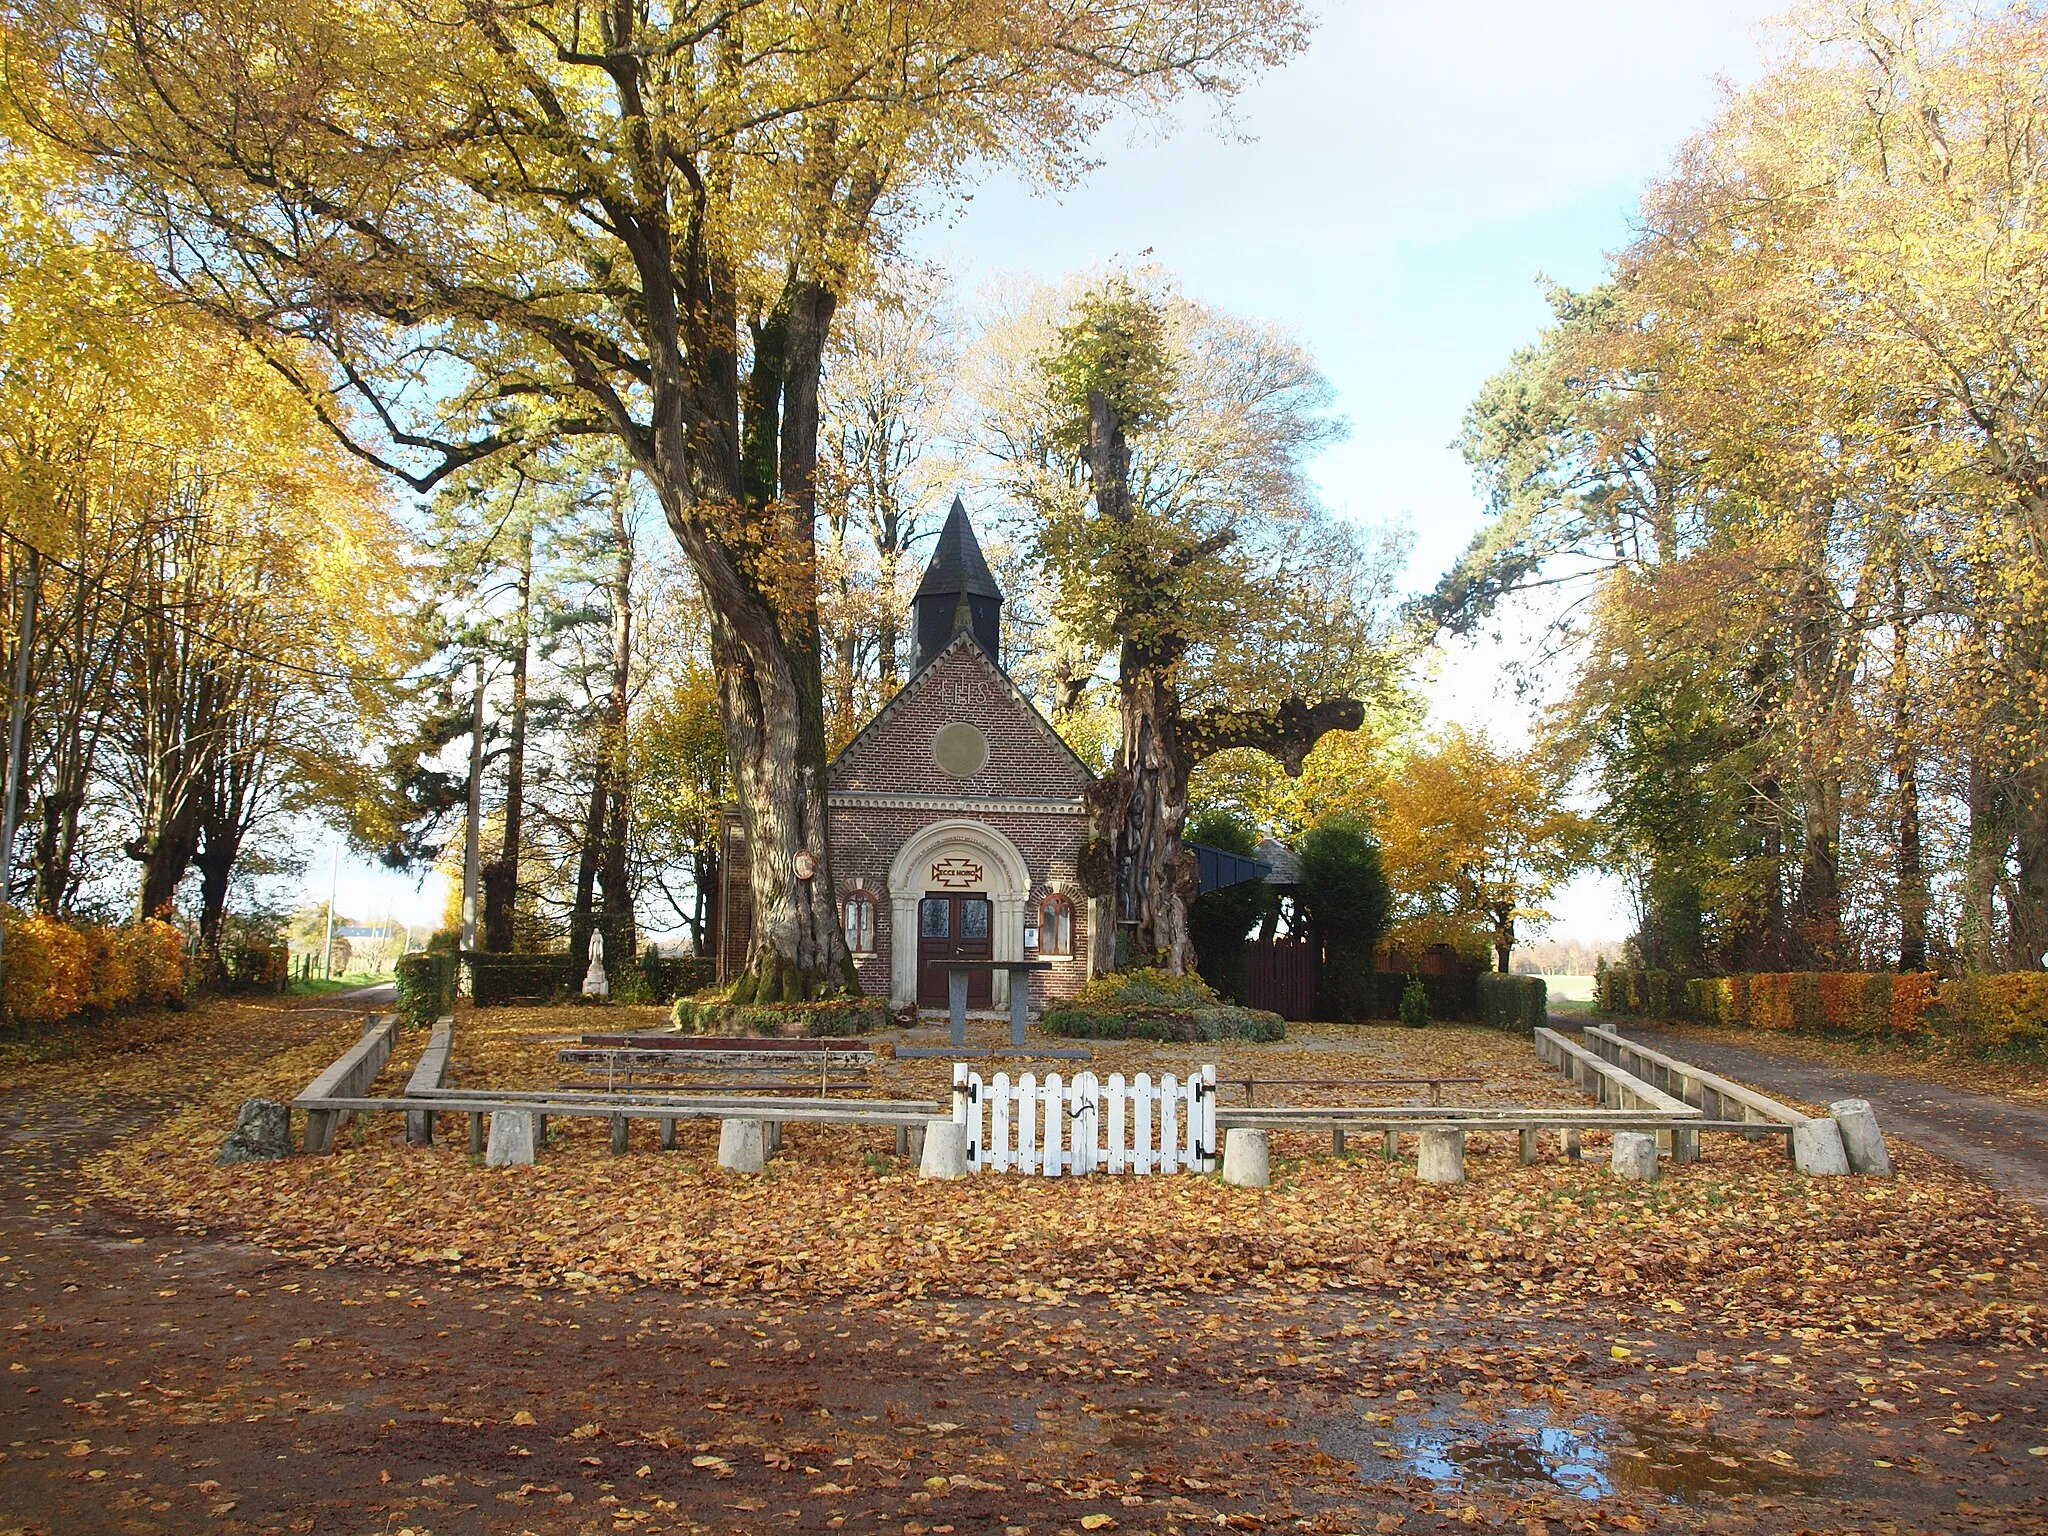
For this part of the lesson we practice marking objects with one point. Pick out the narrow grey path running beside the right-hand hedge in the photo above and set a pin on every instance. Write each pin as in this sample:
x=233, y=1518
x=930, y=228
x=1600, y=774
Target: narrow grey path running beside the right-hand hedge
x=2000, y=1140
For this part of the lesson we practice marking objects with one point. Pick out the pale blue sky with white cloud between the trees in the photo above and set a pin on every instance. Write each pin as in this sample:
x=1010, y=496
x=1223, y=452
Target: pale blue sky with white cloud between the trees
x=1394, y=196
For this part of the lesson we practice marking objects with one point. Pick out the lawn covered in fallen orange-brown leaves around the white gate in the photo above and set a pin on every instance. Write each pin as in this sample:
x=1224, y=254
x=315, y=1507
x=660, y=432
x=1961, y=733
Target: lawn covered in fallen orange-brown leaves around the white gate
x=1738, y=1238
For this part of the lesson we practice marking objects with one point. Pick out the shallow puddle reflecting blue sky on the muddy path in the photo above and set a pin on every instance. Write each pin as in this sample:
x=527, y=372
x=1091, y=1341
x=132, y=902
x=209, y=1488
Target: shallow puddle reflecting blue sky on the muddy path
x=1586, y=1459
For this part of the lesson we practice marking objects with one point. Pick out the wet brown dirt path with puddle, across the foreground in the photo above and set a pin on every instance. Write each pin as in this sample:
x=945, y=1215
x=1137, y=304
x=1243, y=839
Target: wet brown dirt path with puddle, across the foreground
x=163, y=1381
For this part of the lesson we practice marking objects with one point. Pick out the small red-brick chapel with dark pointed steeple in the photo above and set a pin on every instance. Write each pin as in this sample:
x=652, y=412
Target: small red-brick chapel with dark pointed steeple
x=955, y=814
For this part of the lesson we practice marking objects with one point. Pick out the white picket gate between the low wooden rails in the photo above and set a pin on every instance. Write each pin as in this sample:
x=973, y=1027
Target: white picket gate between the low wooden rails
x=1089, y=1127
